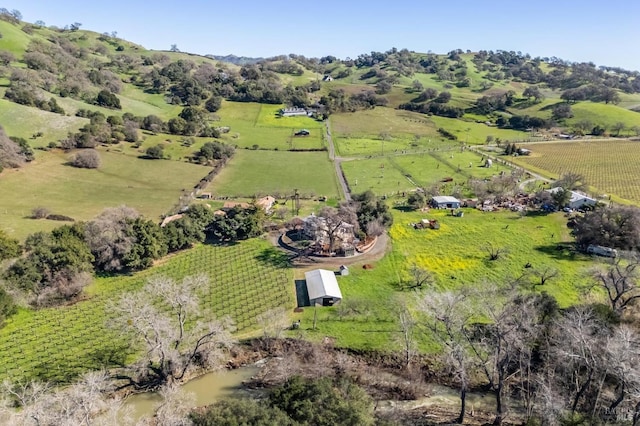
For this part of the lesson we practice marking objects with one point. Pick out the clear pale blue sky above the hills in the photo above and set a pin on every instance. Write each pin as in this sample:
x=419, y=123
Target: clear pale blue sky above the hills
x=604, y=32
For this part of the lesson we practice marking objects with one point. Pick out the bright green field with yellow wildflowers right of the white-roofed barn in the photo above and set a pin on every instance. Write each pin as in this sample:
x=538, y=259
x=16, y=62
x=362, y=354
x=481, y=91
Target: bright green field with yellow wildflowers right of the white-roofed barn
x=368, y=318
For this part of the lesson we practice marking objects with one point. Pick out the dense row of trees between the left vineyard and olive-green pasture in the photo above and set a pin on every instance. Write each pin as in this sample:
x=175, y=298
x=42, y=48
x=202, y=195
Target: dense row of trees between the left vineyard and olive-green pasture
x=53, y=267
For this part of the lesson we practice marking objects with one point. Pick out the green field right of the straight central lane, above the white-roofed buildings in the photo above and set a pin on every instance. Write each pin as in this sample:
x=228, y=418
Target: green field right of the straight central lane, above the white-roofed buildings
x=399, y=173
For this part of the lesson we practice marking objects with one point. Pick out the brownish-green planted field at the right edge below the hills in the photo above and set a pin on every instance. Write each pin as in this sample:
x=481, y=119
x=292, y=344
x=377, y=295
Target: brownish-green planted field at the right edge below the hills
x=609, y=167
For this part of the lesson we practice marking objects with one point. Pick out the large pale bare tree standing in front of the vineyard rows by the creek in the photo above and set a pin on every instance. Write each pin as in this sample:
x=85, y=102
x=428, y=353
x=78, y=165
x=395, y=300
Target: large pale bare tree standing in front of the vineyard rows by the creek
x=157, y=318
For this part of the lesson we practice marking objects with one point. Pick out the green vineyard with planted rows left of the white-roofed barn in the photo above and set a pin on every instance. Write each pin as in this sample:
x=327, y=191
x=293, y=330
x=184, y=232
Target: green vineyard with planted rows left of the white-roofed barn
x=77, y=338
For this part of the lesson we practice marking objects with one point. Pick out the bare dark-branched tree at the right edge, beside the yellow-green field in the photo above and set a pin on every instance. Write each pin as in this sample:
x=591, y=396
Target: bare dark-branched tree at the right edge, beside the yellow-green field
x=620, y=282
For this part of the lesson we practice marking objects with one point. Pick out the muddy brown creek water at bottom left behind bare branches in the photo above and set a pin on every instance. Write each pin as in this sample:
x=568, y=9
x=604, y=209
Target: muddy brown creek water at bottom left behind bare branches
x=207, y=389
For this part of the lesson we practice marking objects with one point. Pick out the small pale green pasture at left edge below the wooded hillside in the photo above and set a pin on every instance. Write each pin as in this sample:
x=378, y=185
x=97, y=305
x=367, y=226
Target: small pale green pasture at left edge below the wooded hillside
x=24, y=121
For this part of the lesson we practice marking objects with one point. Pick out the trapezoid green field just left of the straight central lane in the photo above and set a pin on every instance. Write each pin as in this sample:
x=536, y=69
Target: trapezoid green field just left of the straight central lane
x=256, y=172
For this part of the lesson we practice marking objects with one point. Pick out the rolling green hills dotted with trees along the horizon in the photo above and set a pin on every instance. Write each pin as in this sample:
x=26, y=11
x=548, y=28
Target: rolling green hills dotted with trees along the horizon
x=51, y=73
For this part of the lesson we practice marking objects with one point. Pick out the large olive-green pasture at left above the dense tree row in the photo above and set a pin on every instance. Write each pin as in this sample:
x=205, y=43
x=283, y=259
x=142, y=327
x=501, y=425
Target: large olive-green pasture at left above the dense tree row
x=150, y=186
